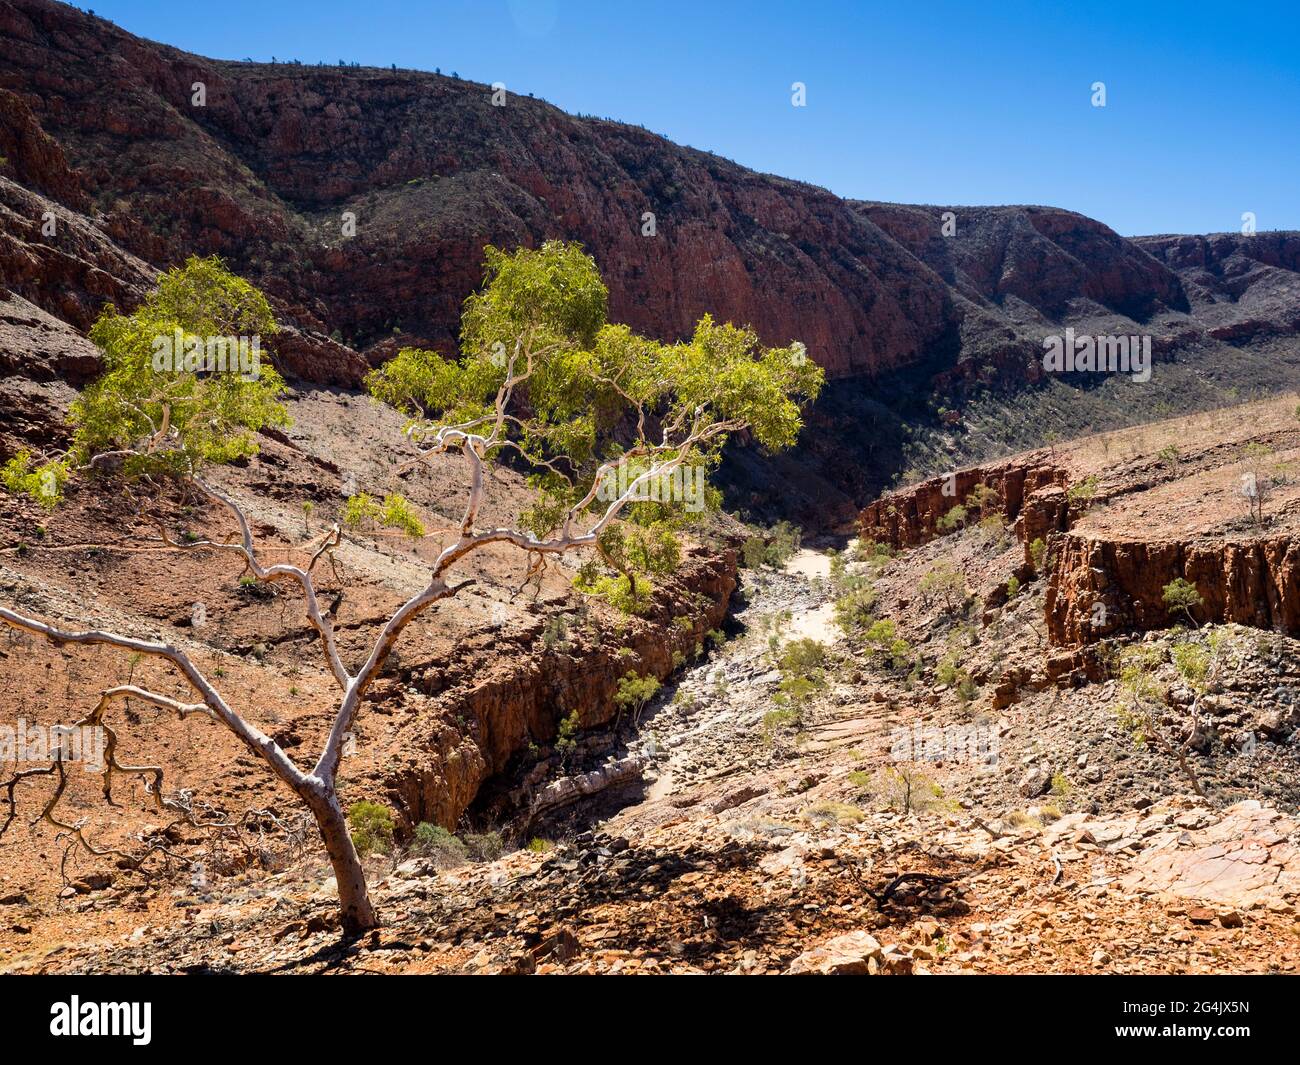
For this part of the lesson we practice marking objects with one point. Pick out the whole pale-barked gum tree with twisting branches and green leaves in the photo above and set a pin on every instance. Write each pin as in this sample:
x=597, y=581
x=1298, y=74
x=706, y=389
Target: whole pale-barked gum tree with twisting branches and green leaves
x=597, y=415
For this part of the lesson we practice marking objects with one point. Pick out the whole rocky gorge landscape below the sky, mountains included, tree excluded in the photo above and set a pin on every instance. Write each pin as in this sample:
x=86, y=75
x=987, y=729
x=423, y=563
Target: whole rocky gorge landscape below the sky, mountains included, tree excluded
x=964, y=734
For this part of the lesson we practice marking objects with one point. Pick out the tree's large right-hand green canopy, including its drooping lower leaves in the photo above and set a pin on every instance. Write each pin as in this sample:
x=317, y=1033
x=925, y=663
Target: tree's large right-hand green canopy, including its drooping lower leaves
x=540, y=324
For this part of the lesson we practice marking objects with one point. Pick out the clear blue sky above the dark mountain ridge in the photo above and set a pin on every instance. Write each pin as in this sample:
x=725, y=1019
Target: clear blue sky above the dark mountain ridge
x=973, y=103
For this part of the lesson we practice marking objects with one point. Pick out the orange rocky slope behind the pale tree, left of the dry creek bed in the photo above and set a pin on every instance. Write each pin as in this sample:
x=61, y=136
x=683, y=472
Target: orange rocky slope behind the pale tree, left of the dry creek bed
x=471, y=690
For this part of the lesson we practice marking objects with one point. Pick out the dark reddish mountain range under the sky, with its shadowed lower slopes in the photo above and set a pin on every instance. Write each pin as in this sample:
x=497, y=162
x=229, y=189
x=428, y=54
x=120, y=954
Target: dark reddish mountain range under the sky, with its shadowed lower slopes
x=934, y=343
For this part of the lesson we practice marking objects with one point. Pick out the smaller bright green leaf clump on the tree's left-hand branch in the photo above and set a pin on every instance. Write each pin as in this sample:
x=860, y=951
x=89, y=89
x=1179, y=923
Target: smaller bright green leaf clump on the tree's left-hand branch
x=179, y=421
